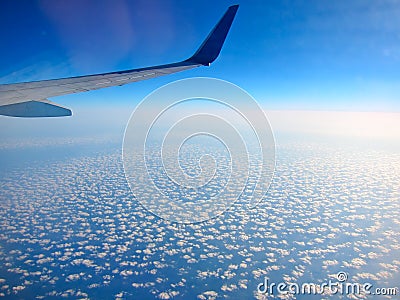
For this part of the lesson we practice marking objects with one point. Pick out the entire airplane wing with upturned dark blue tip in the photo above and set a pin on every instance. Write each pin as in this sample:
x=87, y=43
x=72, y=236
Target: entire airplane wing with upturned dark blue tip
x=29, y=99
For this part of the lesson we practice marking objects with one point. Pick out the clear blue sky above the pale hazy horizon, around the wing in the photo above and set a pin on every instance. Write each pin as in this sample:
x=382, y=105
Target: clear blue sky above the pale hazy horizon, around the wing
x=335, y=55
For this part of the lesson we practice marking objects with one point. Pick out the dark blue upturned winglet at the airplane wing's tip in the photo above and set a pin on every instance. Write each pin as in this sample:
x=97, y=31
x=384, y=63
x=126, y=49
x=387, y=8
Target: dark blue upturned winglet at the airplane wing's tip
x=210, y=48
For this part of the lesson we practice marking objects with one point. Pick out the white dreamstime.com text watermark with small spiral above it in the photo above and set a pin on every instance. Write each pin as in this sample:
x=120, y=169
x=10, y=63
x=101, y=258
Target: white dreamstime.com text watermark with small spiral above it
x=340, y=286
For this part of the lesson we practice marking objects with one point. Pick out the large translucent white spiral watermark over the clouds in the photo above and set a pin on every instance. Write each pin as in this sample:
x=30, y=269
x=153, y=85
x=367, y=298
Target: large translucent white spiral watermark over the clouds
x=192, y=148
